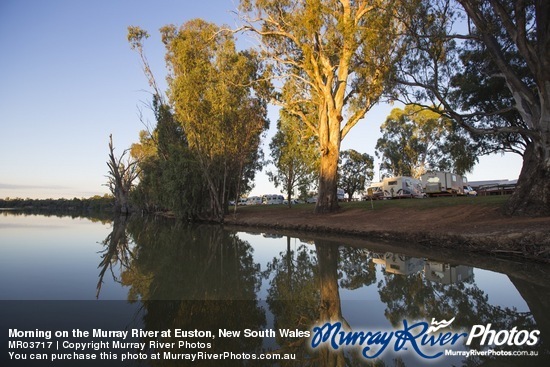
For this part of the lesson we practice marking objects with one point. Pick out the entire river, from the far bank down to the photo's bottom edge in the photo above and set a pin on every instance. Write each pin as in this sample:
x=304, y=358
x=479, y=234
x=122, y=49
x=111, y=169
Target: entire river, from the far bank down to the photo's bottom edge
x=252, y=293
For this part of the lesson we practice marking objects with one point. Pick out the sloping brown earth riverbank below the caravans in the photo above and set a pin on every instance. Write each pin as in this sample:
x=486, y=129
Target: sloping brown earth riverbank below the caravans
x=471, y=224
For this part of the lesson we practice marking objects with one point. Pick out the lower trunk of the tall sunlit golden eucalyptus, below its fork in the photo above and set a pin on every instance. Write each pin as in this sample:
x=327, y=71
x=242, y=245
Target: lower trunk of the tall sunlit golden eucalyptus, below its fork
x=327, y=200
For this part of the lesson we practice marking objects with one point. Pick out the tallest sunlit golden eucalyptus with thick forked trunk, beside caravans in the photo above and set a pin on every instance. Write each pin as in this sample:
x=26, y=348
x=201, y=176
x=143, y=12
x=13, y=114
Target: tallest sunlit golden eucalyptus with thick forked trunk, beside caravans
x=332, y=59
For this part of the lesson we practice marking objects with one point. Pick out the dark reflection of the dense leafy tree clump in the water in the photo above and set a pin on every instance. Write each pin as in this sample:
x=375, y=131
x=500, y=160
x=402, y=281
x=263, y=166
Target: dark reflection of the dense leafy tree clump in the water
x=188, y=278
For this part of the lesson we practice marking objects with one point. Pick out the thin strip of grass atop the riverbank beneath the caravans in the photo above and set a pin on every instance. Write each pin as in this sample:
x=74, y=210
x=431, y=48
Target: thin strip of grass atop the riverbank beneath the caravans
x=418, y=204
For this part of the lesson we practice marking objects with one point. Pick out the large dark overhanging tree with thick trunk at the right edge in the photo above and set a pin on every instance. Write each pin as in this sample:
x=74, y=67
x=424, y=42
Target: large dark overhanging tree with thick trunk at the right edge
x=516, y=36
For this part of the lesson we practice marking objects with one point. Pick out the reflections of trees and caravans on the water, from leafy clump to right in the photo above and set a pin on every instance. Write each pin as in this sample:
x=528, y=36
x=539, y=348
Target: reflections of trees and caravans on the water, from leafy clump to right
x=204, y=277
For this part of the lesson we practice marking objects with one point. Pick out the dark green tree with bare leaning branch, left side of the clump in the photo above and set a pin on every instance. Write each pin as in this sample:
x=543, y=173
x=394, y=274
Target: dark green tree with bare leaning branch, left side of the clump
x=169, y=178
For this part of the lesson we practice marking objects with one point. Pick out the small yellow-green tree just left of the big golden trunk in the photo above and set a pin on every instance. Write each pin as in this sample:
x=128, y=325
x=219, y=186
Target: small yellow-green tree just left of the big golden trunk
x=294, y=156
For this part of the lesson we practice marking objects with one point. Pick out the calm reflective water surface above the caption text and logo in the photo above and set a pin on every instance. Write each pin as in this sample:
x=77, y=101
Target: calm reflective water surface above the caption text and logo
x=159, y=275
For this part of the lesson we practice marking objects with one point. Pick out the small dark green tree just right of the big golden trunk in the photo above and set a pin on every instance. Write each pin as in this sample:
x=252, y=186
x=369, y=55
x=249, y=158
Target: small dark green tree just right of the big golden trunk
x=355, y=171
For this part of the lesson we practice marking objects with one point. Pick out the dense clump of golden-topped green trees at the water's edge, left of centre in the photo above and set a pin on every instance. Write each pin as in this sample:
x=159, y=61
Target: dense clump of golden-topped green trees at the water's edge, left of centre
x=204, y=148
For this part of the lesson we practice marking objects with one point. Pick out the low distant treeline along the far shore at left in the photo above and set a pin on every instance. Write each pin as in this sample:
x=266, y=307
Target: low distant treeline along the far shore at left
x=93, y=204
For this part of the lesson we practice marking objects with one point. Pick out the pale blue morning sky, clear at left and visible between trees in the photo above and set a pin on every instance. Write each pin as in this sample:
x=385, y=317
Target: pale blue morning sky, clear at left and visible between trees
x=68, y=79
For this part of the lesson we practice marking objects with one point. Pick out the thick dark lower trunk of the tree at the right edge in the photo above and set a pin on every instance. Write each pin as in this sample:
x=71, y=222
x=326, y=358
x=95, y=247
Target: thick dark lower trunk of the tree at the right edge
x=532, y=194
